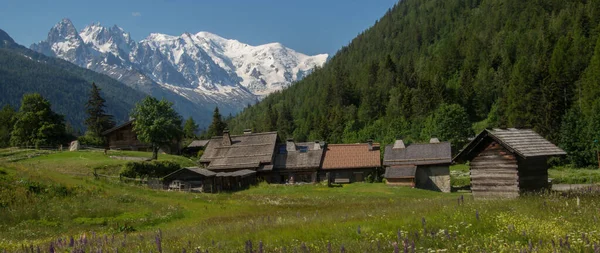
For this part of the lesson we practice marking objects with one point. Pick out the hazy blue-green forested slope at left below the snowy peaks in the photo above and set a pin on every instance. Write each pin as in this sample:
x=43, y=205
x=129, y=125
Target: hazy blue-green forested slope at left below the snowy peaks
x=64, y=84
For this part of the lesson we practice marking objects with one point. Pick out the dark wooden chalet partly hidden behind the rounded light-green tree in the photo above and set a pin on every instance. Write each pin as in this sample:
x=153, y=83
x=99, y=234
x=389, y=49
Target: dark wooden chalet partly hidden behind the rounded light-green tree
x=122, y=137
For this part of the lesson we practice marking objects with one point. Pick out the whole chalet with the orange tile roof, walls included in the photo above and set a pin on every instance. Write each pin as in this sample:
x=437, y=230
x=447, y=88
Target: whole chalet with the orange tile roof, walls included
x=347, y=163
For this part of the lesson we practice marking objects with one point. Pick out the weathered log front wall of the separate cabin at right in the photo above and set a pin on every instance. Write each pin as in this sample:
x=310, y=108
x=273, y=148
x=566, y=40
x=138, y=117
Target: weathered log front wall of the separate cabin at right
x=494, y=173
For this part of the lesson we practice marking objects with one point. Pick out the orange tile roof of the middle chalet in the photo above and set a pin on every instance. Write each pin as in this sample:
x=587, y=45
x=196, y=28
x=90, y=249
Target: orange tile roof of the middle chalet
x=346, y=156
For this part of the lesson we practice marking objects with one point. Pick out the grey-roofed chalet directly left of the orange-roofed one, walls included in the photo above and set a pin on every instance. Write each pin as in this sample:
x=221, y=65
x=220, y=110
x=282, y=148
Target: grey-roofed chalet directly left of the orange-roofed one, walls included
x=296, y=162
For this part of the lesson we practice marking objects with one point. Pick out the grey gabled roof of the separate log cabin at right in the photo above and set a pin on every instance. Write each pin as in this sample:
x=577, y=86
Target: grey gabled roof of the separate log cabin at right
x=523, y=142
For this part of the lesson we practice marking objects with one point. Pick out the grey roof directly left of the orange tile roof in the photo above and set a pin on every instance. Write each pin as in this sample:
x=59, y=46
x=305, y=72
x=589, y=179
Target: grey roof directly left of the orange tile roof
x=311, y=158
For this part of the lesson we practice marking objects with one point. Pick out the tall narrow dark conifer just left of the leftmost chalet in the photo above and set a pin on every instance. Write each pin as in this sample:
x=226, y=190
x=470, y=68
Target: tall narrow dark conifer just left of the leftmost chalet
x=97, y=121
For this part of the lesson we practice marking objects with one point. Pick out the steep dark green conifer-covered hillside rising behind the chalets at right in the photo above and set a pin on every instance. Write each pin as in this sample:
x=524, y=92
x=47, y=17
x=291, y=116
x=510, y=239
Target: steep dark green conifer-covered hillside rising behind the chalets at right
x=428, y=65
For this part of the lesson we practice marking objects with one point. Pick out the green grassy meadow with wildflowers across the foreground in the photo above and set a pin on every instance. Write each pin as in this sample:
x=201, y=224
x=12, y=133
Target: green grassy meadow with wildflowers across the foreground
x=50, y=200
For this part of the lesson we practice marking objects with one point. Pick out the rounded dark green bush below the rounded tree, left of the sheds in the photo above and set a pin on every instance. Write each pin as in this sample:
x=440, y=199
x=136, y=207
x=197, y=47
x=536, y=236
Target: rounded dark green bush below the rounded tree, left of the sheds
x=154, y=169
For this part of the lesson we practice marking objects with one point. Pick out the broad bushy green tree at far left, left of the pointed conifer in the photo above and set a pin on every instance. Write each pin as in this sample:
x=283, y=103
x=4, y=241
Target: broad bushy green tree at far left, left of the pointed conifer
x=37, y=124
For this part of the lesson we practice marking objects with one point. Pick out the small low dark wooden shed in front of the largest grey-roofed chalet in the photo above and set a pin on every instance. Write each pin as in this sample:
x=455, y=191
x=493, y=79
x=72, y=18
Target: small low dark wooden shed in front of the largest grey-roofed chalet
x=191, y=179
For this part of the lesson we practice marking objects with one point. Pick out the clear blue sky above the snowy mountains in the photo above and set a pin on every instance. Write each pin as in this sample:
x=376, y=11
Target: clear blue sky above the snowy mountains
x=309, y=26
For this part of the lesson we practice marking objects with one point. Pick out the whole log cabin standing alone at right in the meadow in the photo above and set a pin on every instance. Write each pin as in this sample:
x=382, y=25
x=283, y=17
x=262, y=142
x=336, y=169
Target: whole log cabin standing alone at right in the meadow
x=507, y=162
